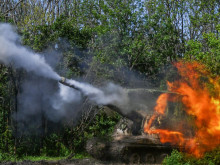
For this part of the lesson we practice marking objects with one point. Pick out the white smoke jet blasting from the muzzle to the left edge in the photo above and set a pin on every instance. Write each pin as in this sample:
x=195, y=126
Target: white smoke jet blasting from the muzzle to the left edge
x=11, y=53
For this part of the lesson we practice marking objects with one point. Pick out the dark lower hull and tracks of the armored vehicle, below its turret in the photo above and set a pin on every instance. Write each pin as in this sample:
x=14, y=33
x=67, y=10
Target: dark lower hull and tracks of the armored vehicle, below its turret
x=130, y=149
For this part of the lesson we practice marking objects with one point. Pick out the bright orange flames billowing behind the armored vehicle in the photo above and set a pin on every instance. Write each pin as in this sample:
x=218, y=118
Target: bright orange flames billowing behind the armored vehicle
x=200, y=95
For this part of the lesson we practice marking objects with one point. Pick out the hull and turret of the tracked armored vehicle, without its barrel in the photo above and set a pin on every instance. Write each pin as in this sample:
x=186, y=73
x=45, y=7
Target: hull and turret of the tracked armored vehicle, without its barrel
x=130, y=144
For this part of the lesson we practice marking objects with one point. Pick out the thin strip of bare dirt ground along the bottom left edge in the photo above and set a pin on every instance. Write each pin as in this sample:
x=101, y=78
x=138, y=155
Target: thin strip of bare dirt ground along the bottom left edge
x=89, y=161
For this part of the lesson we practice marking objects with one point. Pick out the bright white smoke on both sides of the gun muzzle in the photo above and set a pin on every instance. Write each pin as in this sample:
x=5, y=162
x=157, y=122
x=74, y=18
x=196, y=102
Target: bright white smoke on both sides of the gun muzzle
x=11, y=53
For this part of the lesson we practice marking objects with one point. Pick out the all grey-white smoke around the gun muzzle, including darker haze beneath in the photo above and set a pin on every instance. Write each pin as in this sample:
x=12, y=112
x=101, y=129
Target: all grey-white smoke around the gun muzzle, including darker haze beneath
x=40, y=94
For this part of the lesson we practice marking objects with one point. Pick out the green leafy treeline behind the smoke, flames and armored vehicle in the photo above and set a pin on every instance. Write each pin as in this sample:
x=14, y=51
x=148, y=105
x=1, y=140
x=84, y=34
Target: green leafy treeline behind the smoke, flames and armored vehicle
x=100, y=39
